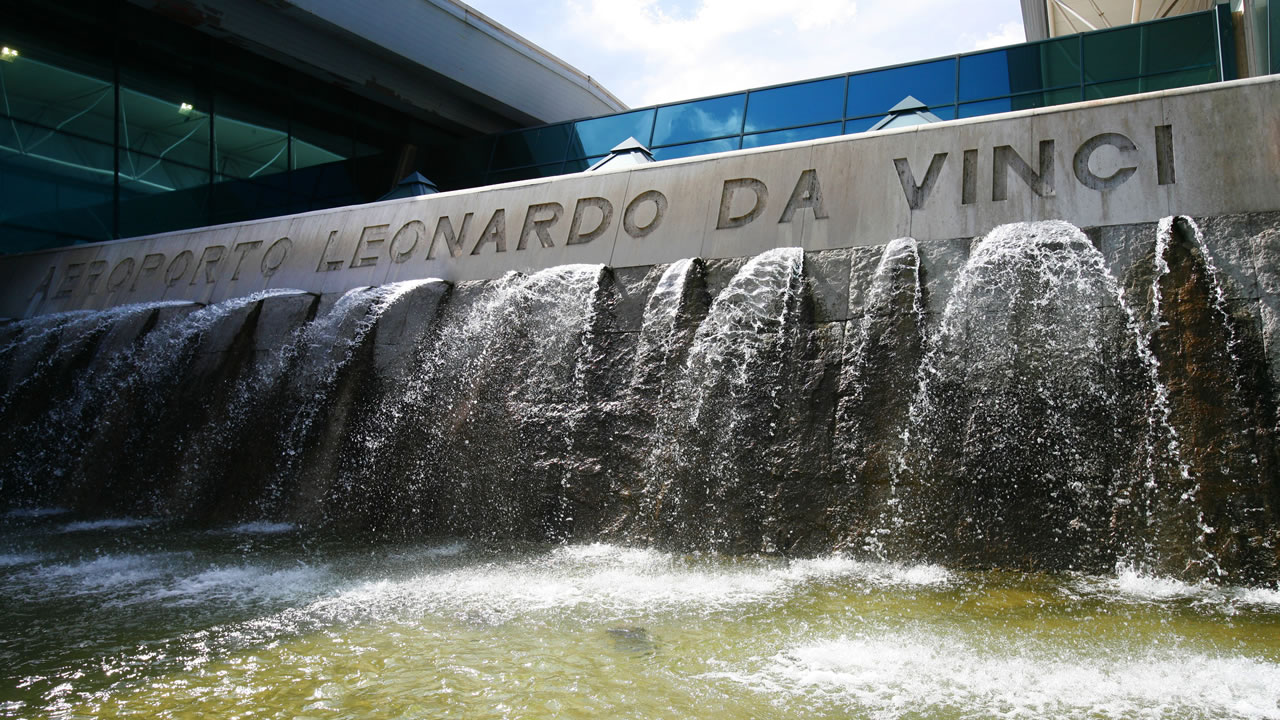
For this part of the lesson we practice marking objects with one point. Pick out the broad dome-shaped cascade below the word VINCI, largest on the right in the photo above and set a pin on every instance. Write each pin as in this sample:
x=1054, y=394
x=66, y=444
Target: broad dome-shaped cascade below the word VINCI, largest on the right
x=1034, y=412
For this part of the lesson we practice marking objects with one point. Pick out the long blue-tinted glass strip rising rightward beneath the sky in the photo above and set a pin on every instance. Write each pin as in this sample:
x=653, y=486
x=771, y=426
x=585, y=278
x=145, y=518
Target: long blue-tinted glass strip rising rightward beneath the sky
x=1156, y=56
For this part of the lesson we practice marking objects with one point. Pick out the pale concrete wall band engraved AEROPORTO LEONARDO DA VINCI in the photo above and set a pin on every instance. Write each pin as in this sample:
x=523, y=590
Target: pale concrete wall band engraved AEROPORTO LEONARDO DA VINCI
x=1206, y=151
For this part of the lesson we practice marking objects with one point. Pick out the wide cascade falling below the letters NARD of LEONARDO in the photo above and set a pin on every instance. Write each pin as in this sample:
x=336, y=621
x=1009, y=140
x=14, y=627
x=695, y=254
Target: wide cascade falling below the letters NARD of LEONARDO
x=479, y=440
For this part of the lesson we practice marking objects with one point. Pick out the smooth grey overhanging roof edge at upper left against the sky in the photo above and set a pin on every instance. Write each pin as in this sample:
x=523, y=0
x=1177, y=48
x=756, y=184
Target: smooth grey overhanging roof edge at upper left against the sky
x=440, y=60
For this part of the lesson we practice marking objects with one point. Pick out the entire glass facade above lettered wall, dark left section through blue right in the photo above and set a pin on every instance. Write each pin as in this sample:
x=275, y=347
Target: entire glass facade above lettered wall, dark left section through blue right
x=117, y=122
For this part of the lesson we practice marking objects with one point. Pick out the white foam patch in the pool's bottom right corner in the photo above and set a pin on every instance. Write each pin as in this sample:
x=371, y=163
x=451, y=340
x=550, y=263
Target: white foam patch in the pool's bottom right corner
x=895, y=675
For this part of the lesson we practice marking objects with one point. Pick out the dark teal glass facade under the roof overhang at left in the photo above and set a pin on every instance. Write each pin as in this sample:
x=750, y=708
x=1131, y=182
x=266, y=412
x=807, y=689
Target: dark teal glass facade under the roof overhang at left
x=116, y=124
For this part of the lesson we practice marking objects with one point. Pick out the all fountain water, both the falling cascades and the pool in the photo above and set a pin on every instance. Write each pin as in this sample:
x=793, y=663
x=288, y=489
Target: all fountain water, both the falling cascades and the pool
x=1037, y=481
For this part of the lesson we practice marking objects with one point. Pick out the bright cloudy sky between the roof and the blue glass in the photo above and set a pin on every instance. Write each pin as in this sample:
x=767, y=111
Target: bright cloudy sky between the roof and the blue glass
x=650, y=52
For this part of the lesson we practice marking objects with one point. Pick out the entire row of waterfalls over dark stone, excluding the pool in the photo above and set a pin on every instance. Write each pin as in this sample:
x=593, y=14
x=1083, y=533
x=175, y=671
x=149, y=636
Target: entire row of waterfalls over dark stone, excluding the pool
x=1075, y=404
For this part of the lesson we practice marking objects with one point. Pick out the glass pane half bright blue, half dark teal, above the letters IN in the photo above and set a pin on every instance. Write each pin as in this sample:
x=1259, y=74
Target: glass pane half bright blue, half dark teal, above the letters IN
x=1021, y=70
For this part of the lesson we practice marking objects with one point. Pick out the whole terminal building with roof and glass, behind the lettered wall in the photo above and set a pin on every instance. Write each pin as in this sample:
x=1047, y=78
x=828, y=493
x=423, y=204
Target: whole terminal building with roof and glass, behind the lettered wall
x=125, y=119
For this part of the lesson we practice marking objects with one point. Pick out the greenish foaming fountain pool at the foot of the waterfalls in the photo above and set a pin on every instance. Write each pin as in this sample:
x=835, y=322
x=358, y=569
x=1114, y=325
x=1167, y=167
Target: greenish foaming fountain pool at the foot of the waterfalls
x=141, y=621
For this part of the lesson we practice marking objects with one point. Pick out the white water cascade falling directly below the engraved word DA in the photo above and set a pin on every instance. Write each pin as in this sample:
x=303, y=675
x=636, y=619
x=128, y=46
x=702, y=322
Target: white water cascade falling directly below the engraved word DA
x=716, y=473
